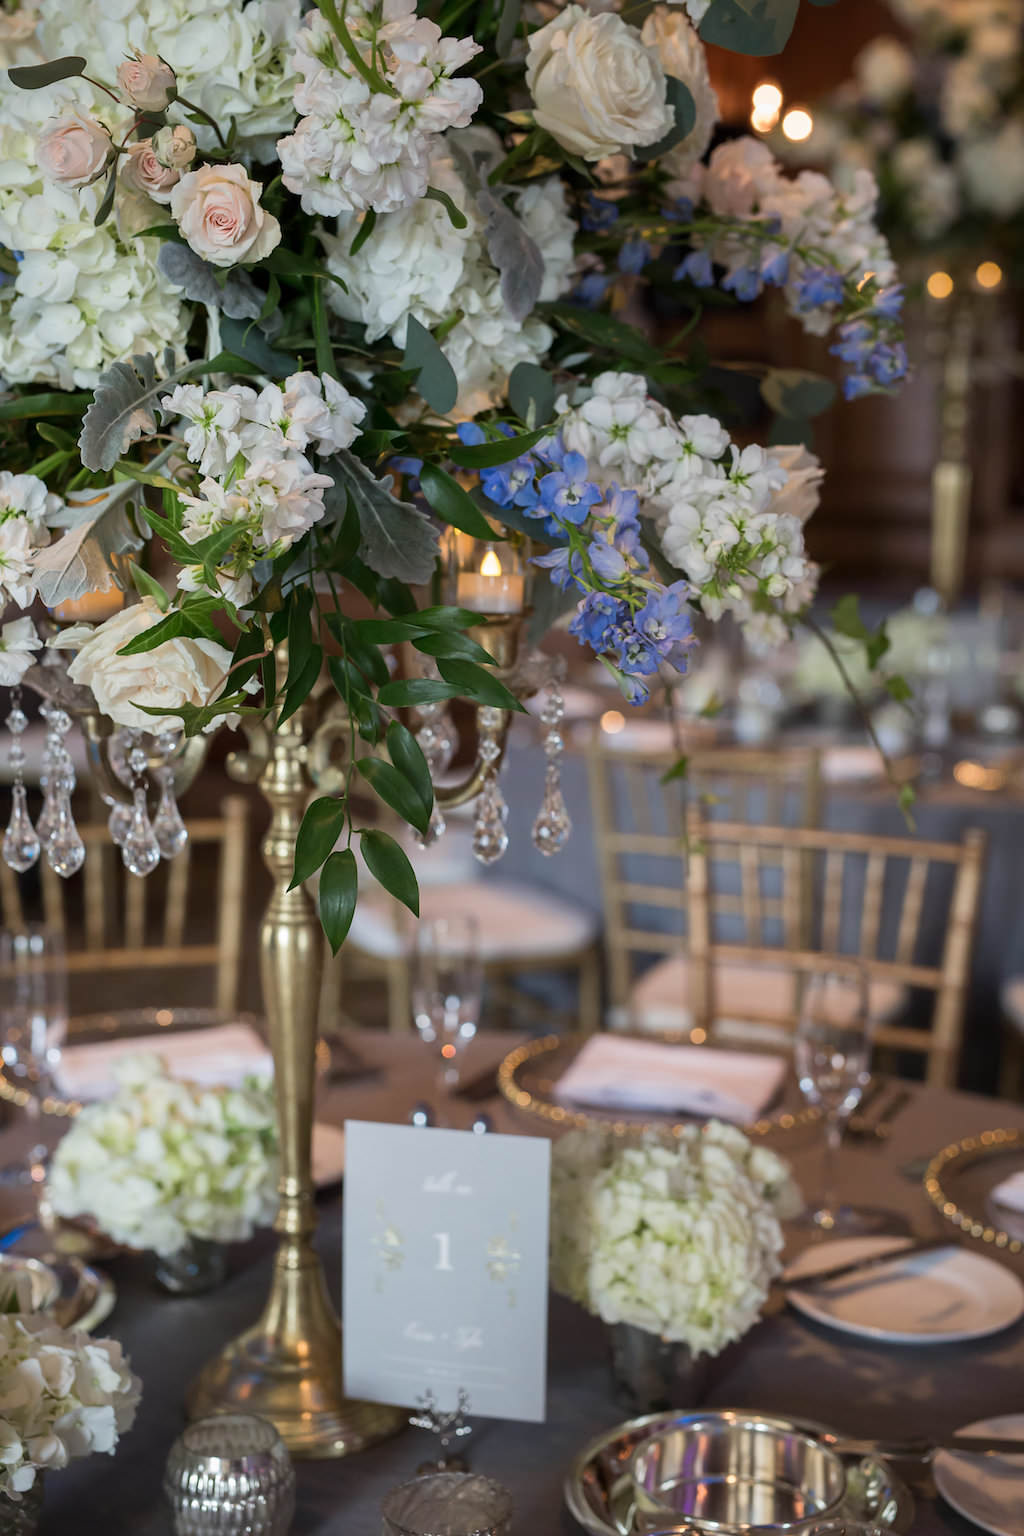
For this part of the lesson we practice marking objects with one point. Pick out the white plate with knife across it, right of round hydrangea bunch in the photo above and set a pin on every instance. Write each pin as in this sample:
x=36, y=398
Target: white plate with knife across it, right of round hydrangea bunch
x=940, y=1297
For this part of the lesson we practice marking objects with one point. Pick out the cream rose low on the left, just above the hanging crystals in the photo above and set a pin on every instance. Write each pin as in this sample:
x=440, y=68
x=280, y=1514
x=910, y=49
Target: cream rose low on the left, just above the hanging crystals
x=174, y=674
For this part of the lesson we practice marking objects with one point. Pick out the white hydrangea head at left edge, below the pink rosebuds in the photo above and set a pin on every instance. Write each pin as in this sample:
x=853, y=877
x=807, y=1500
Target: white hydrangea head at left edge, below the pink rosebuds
x=82, y=297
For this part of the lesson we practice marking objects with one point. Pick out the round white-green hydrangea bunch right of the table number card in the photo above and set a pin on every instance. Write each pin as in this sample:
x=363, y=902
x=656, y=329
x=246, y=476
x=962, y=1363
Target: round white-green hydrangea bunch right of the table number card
x=678, y=1237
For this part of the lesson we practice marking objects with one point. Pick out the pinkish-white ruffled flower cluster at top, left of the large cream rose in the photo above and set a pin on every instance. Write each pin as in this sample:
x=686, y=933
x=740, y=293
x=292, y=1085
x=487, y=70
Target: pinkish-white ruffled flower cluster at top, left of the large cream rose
x=358, y=148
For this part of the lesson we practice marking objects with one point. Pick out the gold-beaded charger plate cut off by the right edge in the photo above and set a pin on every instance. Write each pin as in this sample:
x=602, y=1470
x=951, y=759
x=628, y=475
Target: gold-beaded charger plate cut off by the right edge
x=962, y=1182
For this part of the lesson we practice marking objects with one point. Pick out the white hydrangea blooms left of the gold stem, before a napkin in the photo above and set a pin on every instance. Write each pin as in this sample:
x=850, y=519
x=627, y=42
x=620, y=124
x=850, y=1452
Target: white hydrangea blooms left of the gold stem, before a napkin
x=164, y=1160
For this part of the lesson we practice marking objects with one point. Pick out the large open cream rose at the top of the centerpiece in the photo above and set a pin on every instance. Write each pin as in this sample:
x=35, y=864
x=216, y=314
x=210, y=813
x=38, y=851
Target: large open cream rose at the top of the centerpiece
x=596, y=87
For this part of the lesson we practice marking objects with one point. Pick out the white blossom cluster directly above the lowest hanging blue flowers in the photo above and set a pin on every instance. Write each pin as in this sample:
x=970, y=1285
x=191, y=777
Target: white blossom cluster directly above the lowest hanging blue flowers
x=730, y=520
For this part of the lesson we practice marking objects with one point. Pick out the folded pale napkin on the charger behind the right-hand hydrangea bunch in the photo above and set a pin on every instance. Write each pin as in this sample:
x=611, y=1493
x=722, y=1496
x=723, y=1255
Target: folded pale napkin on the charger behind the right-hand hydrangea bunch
x=616, y=1073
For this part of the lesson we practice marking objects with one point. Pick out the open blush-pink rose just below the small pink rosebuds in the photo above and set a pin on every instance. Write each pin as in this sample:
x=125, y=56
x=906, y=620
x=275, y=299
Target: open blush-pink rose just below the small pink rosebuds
x=219, y=213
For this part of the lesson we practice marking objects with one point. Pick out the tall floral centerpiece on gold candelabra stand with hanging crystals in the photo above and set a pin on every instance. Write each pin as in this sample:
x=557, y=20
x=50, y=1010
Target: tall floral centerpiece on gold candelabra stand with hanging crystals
x=303, y=310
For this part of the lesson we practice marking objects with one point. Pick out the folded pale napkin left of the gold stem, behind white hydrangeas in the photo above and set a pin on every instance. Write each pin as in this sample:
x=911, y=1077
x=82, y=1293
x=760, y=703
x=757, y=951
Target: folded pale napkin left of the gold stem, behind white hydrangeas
x=222, y=1056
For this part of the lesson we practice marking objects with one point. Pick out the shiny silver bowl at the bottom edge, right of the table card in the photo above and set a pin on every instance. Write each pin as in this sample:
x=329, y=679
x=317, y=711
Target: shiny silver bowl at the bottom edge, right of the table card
x=735, y=1472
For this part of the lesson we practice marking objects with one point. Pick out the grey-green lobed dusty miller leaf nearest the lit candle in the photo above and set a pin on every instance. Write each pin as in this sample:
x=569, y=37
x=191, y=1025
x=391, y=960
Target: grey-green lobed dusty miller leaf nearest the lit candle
x=398, y=540
